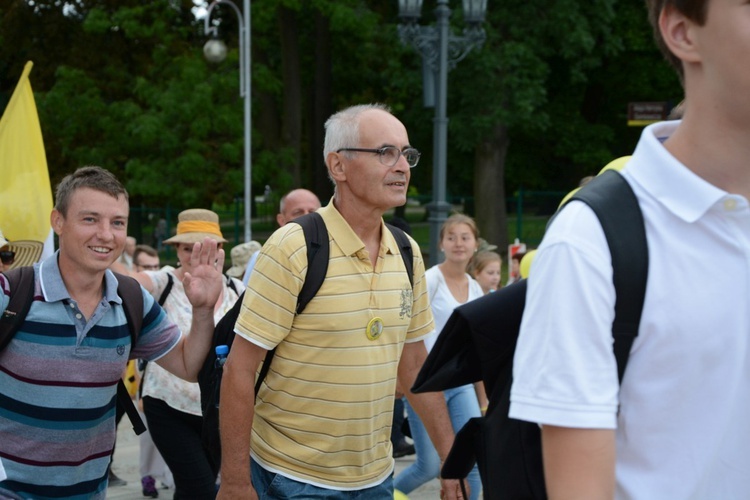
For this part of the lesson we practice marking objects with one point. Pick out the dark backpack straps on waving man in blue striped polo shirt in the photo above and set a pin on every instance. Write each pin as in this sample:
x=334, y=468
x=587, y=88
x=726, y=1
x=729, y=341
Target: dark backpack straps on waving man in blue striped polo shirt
x=22, y=295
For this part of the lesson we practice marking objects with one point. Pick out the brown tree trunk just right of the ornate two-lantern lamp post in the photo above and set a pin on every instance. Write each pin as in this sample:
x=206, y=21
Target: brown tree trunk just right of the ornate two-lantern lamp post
x=489, y=188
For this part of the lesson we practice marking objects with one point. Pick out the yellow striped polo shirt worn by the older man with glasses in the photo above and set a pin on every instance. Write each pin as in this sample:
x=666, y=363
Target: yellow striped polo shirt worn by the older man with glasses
x=323, y=414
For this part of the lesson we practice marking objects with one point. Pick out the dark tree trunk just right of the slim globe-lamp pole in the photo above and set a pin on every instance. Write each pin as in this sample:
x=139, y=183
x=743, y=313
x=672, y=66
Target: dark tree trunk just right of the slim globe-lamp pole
x=291, y=131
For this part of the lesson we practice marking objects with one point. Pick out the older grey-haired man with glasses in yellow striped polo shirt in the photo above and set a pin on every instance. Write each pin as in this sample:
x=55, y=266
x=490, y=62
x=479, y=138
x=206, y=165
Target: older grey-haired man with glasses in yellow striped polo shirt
x=320, y=426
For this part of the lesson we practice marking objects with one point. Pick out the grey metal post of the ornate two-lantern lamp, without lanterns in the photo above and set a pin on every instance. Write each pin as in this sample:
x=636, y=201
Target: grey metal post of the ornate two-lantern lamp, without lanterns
x=440, y=207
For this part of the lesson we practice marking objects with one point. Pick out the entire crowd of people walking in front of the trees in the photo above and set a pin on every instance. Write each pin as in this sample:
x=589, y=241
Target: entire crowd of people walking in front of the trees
x=321, y=423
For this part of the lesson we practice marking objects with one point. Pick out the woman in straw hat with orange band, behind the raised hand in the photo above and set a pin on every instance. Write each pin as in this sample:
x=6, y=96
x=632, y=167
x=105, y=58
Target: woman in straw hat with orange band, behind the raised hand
x=172, y=405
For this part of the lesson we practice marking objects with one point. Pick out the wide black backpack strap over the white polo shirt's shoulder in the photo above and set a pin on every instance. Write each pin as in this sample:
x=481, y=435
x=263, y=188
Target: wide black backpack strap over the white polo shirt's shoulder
x=612, y=199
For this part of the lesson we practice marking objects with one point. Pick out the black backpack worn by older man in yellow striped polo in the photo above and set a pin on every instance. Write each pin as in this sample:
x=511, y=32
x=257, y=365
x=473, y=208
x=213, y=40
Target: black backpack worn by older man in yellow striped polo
x=209, y=377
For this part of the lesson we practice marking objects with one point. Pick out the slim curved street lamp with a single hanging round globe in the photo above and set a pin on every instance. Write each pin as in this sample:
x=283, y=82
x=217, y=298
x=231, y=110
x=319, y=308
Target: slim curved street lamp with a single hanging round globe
x=215, y=51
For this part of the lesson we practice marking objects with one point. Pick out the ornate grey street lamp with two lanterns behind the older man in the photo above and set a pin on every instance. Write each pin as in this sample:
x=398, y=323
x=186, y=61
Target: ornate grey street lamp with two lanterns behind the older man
x=441, y=50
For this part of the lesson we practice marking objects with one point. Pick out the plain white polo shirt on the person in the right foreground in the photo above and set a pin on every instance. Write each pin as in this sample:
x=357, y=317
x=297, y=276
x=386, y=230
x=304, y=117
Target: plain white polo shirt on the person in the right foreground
x=682, y=429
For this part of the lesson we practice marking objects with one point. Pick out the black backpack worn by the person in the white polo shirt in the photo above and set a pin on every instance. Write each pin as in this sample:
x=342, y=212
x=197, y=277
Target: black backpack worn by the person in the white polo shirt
x=480, y=337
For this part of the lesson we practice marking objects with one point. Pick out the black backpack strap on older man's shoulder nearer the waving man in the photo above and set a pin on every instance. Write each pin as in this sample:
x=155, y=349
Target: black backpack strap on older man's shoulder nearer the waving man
x=318, y=251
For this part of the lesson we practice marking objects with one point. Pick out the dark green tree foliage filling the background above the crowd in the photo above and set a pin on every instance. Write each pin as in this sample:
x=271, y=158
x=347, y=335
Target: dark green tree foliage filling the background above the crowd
x=123, y=84
